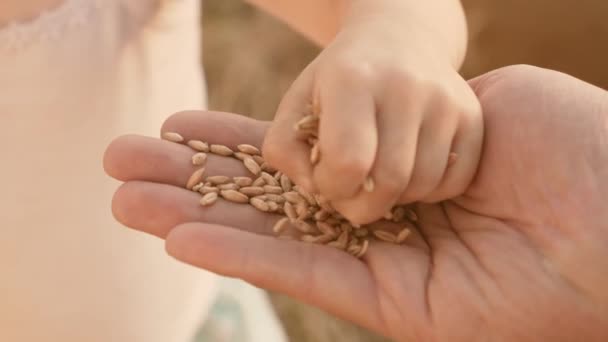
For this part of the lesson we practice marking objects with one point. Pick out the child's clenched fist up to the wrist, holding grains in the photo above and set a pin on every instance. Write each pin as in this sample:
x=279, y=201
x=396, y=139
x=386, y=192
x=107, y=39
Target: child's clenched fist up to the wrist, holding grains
x=390, y=109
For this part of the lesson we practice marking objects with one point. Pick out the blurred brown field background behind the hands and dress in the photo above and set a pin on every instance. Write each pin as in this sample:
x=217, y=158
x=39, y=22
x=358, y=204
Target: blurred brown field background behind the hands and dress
x=251, y=59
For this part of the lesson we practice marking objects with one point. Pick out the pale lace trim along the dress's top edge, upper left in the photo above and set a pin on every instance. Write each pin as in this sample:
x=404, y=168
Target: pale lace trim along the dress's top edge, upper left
x=49, y=26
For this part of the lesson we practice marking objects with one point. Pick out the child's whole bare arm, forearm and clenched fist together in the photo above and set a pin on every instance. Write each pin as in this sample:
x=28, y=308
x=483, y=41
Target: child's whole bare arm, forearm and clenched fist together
x=393, y=105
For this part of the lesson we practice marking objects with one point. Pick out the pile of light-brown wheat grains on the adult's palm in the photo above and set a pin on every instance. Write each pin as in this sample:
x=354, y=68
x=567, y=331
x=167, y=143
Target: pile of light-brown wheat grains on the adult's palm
x=307, y=217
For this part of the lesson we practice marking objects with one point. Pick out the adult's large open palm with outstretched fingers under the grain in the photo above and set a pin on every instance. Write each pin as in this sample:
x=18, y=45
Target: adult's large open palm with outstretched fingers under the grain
x=521, y=256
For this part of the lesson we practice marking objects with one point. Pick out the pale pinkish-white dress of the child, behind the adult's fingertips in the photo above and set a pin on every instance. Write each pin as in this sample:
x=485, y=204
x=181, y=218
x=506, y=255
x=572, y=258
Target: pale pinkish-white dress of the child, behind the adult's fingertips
x=71, y=80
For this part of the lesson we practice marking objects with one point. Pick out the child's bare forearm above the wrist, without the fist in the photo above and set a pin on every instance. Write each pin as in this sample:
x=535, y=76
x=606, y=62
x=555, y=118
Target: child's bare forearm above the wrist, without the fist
x=440, y=24
